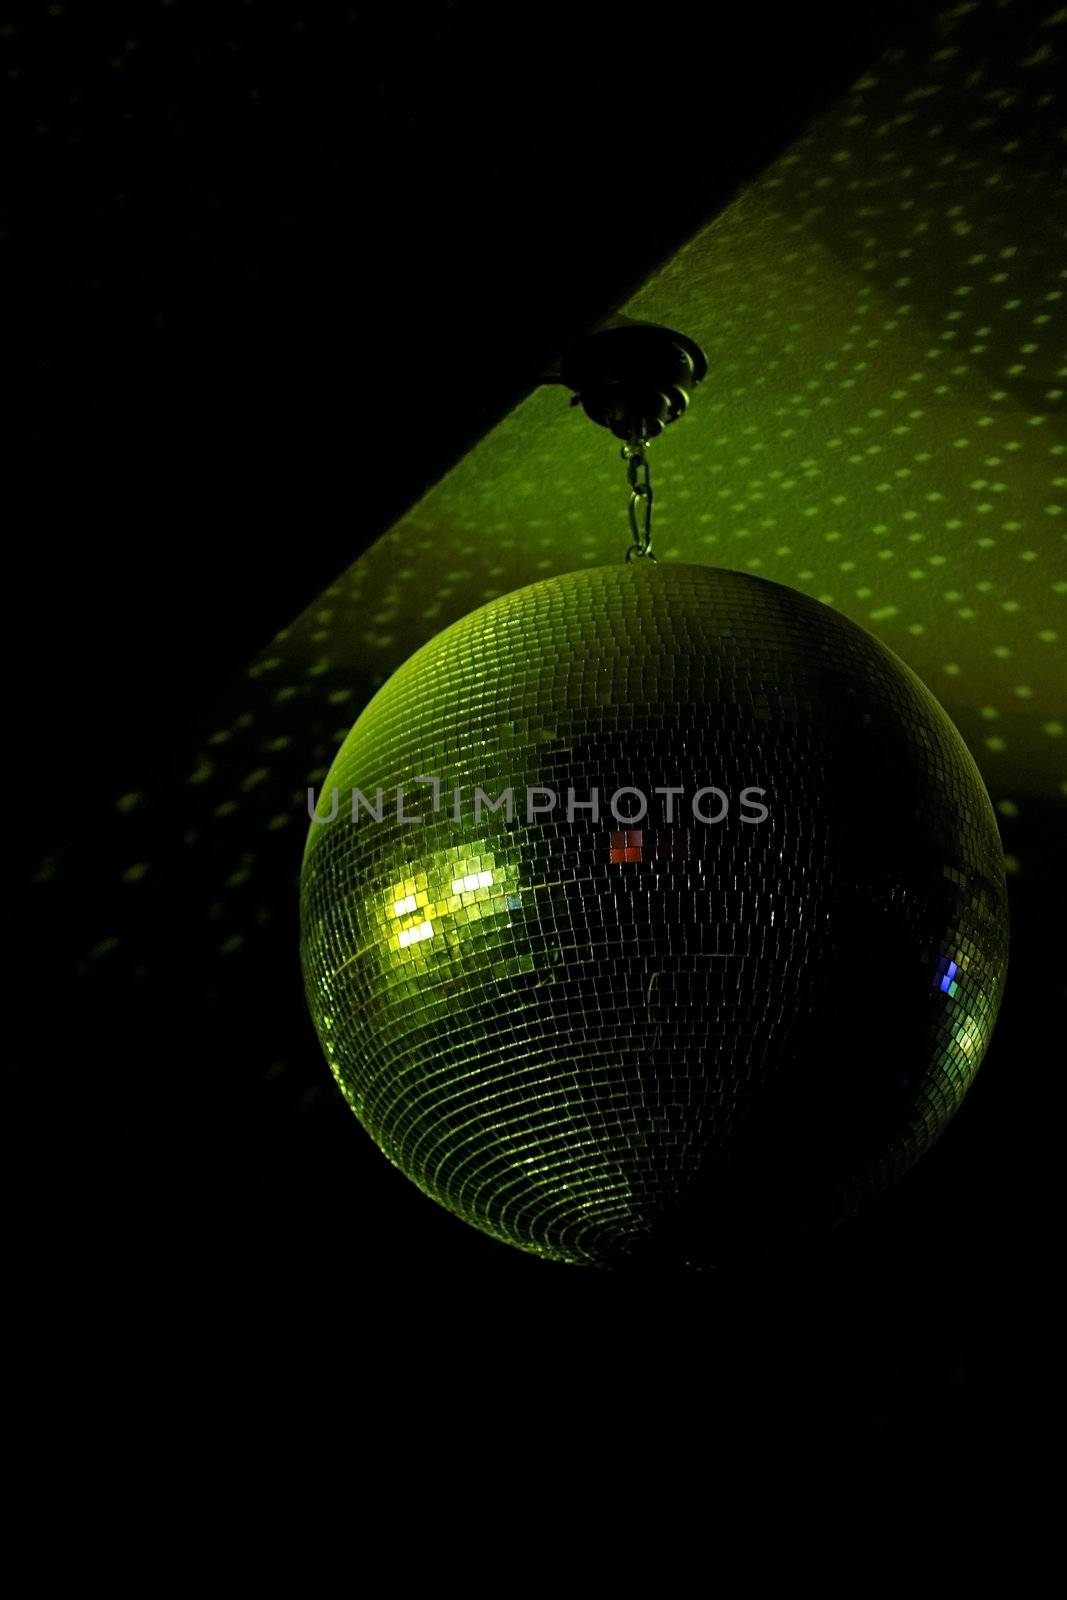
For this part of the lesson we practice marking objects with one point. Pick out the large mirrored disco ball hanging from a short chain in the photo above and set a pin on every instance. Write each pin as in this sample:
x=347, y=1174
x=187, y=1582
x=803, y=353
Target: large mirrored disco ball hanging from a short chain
x=730, y=964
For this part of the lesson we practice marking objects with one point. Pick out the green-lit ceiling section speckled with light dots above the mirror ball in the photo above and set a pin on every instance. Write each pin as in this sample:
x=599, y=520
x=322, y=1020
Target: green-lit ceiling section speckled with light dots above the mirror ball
x=882, y=425
